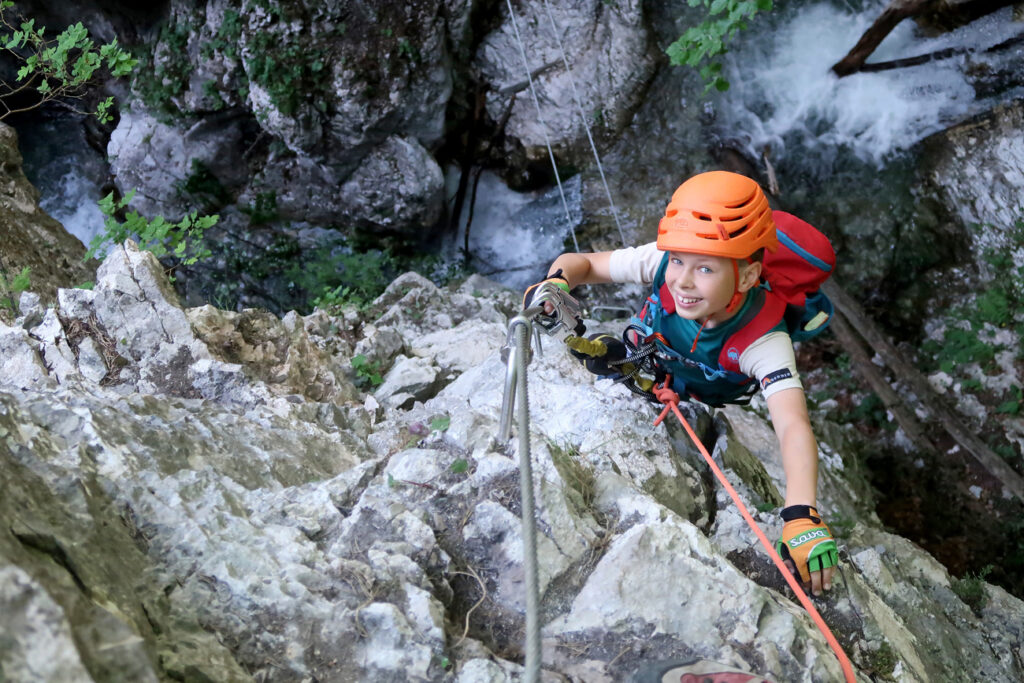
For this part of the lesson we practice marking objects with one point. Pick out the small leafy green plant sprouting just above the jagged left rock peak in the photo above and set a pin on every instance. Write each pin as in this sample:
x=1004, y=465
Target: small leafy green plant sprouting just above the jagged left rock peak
x=183, y=240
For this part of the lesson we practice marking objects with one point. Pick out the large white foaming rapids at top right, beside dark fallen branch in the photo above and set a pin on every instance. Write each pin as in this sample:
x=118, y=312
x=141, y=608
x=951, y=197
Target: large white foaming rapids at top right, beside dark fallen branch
x=785, y=97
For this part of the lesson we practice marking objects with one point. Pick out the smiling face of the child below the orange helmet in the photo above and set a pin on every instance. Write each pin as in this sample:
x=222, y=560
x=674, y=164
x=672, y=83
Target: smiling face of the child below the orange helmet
x=703, y=286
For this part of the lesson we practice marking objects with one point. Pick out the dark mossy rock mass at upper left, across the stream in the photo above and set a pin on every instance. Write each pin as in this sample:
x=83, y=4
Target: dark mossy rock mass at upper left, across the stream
x=354, y=96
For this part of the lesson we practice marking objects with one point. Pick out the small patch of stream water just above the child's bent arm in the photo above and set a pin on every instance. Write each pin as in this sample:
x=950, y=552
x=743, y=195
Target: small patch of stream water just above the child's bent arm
x=516, y=236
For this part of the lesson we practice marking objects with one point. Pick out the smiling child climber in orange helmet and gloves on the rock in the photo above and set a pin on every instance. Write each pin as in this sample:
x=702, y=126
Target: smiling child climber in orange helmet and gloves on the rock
x=705, y=271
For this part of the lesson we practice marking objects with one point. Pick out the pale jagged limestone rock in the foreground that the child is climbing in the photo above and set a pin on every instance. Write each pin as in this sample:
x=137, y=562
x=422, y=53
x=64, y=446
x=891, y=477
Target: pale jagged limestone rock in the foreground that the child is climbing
x=196, y=494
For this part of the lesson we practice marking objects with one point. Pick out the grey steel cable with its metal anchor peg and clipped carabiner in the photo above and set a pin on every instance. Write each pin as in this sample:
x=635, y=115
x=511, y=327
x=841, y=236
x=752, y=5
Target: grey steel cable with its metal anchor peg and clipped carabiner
x=564, y=321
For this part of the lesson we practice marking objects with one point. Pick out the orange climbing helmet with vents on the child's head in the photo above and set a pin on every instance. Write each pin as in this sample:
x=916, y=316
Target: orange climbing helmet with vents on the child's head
x=718, y=214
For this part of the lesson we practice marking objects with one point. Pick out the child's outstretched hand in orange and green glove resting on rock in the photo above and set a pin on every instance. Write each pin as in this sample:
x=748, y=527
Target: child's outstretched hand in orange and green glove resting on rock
x=808, y=547
